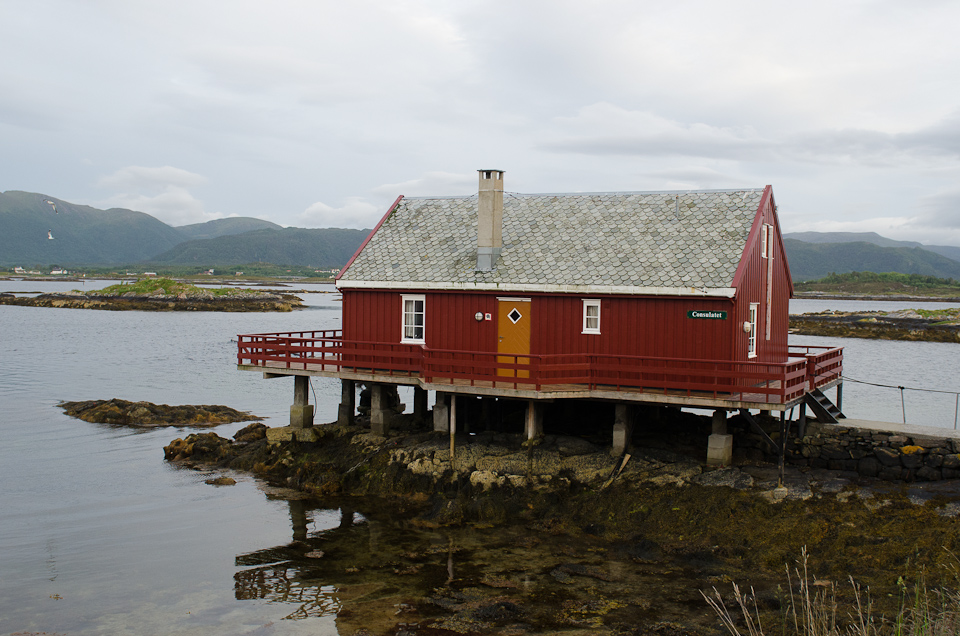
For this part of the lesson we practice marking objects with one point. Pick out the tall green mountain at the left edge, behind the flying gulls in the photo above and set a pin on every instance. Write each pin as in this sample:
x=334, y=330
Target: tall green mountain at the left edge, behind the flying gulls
x=80, y=234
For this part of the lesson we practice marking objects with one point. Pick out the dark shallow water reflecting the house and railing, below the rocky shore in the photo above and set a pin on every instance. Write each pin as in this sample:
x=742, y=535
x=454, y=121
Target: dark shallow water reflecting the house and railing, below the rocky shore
x=370, y=568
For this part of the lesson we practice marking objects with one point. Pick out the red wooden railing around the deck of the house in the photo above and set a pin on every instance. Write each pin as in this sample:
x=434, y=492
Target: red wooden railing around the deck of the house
x=806, y=368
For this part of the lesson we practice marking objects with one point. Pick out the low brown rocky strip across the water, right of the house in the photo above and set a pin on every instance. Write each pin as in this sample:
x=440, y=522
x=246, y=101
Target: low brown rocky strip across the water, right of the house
x=936, y=326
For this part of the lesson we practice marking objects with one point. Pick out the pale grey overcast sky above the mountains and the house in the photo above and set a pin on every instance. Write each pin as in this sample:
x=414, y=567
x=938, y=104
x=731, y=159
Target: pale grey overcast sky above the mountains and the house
x=319, y=114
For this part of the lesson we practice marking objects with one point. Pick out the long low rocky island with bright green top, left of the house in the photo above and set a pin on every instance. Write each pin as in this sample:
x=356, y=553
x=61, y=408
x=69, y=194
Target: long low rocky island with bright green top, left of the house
x=161, y=294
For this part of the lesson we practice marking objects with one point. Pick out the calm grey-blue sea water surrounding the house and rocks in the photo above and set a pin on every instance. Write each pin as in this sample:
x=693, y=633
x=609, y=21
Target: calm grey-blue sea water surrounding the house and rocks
x=99, y=535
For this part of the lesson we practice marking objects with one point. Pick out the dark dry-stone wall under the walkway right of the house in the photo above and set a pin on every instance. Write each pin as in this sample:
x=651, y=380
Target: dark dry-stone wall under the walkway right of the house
x=898, y=455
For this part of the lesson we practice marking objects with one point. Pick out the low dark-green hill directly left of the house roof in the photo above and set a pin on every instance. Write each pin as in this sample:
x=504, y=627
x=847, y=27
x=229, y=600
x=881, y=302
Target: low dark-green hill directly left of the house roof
x=323, y=248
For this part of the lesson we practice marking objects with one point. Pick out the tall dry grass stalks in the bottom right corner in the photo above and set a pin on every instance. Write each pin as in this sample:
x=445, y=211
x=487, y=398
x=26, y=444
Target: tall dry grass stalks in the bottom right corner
x=813, y=610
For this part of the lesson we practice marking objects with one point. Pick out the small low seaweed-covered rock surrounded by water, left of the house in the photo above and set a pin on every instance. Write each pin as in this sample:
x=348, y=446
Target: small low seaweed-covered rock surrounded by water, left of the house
x=149, y=415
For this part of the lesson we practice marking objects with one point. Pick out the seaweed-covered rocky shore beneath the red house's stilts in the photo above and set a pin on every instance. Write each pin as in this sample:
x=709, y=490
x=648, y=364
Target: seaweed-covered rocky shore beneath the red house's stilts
x=658, y=504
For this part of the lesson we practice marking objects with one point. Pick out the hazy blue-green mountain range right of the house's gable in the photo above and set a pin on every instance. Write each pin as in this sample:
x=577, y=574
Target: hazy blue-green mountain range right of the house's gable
x=810, y=261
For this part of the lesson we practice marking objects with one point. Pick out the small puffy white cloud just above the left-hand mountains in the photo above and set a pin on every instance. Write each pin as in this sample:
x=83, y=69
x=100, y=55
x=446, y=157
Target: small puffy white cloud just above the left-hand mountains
x=162, y=192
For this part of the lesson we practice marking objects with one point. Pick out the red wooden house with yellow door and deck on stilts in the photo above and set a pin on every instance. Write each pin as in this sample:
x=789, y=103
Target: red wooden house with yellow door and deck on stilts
x=631, y=298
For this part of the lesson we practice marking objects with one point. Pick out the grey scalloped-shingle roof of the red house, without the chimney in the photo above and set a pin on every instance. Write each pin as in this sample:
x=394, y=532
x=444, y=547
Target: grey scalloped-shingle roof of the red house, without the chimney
x=683, y=243
